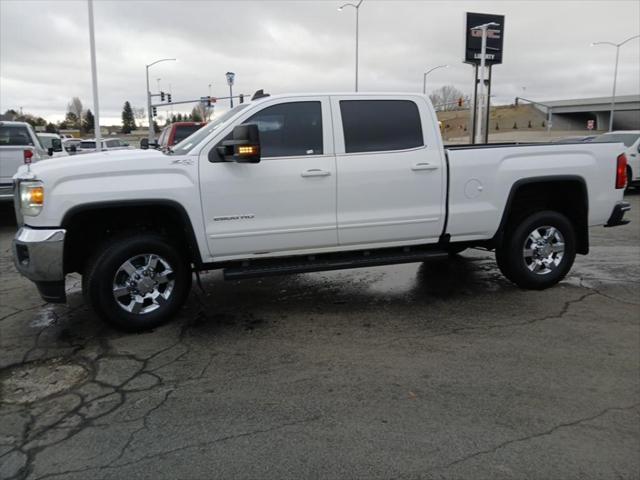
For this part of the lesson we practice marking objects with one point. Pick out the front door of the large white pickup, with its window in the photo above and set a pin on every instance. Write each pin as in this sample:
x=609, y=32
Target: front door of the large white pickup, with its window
x=285, y=203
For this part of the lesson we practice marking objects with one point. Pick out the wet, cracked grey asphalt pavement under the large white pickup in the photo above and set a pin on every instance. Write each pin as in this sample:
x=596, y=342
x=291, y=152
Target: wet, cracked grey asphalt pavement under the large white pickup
x=441, y=370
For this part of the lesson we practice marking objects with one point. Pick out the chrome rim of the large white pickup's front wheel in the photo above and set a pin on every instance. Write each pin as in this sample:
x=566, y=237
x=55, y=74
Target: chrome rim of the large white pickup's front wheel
x=143, y=283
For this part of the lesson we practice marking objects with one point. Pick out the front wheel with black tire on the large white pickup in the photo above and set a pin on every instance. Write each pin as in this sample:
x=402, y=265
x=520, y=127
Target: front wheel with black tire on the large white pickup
x=99, y=280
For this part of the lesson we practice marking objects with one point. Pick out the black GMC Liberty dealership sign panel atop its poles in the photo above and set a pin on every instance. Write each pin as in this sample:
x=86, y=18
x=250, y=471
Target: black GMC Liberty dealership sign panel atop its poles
x=495, y=38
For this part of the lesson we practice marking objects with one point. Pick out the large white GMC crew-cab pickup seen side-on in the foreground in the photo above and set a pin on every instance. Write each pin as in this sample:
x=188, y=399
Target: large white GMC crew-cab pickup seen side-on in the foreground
x=299, y=183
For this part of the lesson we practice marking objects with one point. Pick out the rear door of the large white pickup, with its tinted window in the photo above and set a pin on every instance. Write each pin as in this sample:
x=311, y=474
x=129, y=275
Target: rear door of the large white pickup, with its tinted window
x=391, y=173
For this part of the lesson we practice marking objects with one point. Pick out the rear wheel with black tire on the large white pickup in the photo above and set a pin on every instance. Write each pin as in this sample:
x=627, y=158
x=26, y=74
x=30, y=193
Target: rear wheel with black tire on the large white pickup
x=519, y=269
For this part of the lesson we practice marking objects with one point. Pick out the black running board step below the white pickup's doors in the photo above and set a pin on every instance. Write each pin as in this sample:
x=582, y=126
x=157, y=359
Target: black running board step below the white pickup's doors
x=318, y=263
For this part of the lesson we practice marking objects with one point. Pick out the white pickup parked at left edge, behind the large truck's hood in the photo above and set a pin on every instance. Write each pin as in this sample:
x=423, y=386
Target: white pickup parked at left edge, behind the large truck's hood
x=18, y=145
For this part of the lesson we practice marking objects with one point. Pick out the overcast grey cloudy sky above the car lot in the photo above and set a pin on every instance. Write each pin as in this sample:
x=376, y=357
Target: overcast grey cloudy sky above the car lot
x=302, y=46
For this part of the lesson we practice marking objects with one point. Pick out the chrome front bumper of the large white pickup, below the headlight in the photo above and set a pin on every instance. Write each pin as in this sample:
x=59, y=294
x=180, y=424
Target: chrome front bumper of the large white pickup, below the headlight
x=38, y=255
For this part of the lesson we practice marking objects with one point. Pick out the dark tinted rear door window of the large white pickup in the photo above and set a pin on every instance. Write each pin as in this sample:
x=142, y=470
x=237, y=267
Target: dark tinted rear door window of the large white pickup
x=380, y=125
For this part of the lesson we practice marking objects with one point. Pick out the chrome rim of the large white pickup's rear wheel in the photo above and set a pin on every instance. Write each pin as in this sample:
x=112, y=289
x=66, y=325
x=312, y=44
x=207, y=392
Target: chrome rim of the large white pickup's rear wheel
x=543, y=250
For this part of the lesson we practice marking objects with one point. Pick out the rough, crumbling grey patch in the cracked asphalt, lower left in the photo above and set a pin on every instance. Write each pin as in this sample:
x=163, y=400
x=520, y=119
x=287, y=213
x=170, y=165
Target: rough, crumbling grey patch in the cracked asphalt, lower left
x=34, y=381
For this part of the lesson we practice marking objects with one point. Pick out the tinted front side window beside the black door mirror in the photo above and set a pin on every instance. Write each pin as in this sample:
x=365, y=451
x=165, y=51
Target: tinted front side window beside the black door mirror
x=290, y=129
